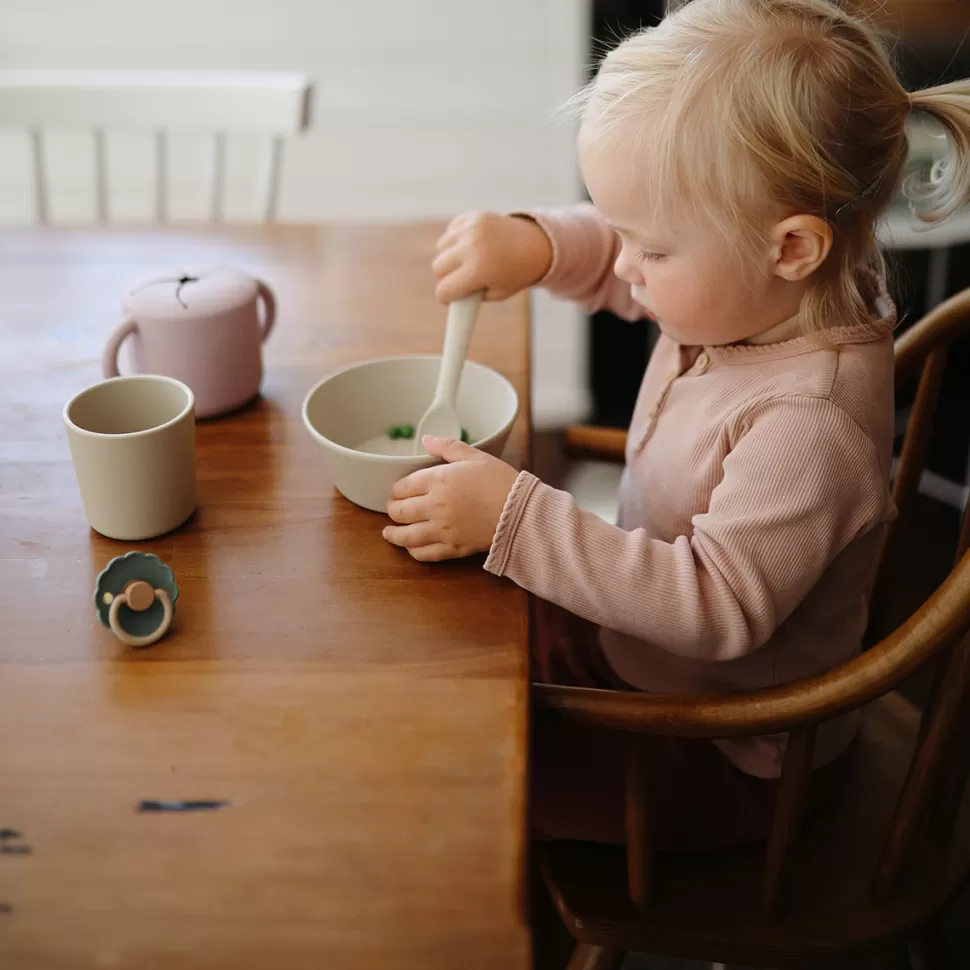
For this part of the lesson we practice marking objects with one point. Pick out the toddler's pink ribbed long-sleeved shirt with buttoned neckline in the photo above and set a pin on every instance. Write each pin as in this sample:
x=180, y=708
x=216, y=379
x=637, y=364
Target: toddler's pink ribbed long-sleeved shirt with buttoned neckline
x=752, y=509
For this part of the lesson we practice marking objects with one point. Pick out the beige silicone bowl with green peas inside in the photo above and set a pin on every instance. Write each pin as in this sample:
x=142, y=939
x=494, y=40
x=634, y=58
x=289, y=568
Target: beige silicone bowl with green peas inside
x=363, y=401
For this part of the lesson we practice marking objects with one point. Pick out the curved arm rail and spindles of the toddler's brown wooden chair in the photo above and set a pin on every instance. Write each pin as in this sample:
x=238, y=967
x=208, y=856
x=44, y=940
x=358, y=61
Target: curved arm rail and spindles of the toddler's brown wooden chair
x=933, y=790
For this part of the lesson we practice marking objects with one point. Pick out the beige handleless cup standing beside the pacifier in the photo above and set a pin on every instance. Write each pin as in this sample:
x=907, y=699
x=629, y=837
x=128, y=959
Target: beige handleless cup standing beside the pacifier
x=132, y=440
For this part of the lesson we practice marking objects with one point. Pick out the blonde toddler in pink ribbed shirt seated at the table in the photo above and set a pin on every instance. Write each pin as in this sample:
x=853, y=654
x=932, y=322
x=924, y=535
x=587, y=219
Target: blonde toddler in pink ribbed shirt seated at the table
x=737, y=157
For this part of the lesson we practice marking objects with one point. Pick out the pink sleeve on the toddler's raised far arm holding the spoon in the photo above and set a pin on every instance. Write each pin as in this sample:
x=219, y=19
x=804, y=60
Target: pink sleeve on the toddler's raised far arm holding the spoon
x=584, y=249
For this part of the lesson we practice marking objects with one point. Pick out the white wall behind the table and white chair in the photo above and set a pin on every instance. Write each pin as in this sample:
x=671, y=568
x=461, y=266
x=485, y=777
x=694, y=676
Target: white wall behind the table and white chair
x=422, y=108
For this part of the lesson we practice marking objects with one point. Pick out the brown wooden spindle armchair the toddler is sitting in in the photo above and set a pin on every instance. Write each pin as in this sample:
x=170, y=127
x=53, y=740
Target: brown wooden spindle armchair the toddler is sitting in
x=870, y=877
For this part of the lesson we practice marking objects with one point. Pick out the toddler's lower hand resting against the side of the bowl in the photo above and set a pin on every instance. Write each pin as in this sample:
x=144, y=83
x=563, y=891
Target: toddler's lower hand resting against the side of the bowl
x=452, y=510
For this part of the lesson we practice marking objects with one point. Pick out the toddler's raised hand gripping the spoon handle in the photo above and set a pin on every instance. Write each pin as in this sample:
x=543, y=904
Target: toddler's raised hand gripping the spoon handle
x=495, y=253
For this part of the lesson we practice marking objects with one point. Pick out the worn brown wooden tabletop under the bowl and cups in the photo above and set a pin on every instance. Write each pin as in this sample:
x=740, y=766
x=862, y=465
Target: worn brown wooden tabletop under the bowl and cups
x=365, y=714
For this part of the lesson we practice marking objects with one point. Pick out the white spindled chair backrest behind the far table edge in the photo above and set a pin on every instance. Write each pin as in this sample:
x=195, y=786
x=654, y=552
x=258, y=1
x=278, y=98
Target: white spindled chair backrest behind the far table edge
x=170, y=112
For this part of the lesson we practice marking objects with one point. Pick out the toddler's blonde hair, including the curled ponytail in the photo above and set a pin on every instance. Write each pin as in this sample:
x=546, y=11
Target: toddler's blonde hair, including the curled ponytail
x=745, y=107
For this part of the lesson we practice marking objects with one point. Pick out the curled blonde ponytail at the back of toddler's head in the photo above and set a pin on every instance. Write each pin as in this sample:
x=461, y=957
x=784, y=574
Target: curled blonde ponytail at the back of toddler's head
x=946, y=188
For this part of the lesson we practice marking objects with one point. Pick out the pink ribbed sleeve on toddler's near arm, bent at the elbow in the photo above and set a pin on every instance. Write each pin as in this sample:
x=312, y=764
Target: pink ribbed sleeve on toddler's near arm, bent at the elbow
x=801, y=482
